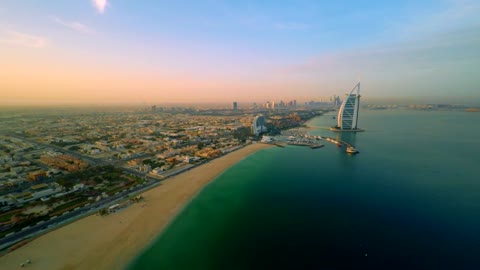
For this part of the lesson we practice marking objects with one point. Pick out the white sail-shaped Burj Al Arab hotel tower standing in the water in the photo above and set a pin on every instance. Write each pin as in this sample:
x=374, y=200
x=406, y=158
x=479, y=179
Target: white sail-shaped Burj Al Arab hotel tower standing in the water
x=347, y=118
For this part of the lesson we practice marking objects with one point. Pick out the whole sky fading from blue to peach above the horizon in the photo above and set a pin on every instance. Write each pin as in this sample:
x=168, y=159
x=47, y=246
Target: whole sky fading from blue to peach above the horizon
x=155, y=51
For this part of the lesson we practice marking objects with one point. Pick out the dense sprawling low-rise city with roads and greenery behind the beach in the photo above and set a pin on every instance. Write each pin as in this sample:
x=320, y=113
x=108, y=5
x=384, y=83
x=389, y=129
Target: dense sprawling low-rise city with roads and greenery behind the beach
x=57, y=167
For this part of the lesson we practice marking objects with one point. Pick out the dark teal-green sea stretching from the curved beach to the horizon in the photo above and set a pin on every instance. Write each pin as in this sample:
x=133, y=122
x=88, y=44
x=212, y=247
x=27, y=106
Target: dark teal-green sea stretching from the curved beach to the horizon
x=409, y=200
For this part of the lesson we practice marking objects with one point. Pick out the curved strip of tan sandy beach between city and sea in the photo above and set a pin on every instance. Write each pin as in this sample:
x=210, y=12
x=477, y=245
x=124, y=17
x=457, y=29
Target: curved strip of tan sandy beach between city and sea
x=111, y=242
